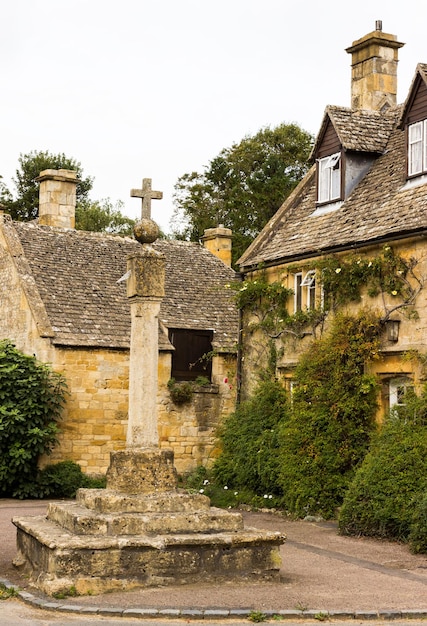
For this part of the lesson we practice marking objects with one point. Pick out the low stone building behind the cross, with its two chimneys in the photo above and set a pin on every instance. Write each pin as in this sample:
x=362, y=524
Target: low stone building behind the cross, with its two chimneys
x=63, y=299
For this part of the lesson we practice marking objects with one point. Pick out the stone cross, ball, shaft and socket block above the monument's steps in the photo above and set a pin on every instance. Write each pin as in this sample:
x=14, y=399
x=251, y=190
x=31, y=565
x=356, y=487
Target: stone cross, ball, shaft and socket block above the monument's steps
x=143, y=466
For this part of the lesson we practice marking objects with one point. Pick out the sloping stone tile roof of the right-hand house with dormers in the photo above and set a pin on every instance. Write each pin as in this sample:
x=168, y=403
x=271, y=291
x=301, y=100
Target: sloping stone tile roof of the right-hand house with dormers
x=380, y=207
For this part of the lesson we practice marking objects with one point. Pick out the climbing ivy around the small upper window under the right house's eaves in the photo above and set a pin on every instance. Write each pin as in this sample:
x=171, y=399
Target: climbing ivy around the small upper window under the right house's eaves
x=343, y=280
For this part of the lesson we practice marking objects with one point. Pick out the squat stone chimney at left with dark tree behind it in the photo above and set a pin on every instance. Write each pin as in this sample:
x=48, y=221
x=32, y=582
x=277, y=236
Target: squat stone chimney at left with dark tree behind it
x=57, y=198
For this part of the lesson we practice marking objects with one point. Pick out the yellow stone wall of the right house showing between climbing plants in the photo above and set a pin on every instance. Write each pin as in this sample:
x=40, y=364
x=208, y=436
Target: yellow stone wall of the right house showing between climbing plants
x=393, y=360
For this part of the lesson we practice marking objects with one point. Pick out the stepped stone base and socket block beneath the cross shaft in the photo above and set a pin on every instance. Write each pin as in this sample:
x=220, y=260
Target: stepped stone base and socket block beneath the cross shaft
x=110, y=539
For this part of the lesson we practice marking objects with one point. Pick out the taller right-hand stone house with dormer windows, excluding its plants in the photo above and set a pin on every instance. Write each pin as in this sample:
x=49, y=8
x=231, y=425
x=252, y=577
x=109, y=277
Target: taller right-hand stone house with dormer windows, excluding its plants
x=364, y=198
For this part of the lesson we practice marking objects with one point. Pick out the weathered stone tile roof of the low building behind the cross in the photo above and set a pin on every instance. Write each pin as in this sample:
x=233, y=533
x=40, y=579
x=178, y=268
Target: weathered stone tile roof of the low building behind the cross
x=74, y=274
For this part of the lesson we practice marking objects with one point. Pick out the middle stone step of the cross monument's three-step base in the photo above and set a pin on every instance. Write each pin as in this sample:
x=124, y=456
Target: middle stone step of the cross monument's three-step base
x=82, y=521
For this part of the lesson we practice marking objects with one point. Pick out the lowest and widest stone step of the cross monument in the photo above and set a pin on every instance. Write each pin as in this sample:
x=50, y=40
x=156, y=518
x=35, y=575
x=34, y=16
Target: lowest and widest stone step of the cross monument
x=56, y=559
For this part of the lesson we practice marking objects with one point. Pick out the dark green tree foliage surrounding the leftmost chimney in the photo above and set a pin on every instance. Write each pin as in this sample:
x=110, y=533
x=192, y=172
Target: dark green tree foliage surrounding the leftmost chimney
x=25, y=205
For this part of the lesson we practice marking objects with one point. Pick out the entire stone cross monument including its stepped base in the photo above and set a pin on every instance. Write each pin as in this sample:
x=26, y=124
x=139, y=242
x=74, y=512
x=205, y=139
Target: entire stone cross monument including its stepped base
x=141, y=531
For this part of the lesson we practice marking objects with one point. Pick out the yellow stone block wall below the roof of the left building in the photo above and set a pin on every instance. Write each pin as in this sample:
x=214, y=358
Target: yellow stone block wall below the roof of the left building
x=95, y=418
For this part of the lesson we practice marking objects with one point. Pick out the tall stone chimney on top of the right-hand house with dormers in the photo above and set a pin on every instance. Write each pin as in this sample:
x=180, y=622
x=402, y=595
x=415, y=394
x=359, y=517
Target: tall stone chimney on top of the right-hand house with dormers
x=374, y=60
